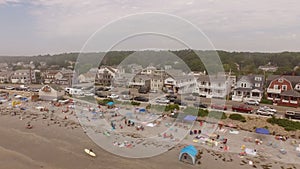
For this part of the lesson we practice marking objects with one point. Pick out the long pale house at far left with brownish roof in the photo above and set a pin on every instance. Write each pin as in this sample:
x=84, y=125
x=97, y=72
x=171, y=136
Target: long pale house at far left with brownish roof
x=25, y=76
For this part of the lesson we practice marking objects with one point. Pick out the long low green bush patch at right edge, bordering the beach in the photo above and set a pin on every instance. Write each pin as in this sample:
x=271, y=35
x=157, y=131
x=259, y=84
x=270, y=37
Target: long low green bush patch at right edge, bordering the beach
x=287, y=124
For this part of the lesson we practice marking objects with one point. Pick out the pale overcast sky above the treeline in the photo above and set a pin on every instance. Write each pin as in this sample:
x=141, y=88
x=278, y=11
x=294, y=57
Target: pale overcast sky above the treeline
x=33, y=27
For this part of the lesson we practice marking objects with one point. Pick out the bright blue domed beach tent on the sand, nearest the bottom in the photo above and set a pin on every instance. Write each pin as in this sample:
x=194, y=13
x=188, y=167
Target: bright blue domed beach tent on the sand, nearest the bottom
x=188, y=154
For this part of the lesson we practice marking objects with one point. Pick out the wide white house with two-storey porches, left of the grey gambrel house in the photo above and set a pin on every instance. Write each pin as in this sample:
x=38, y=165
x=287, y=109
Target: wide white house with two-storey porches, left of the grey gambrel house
x=214, y=86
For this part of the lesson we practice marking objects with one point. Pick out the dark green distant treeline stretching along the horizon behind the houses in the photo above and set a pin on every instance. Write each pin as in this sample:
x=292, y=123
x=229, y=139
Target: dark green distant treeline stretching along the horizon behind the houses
x=237, y=62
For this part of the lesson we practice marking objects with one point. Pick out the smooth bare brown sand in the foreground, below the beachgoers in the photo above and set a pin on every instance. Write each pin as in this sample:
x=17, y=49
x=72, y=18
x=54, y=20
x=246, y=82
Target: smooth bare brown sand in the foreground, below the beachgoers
x=57, y=147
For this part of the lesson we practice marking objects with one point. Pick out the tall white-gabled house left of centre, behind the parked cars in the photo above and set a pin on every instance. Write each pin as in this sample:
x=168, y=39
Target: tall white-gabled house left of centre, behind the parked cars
x=105, y=75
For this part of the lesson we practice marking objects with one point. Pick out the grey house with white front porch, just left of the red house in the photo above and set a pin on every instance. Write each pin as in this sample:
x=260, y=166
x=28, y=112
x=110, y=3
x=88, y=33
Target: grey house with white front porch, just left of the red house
x=249, y=87
